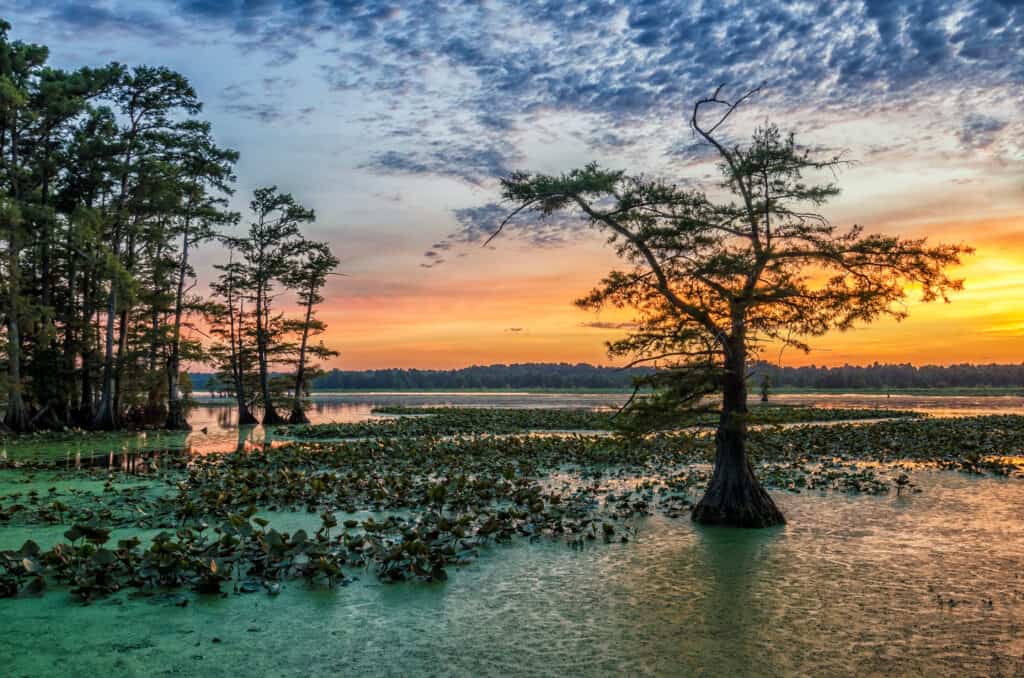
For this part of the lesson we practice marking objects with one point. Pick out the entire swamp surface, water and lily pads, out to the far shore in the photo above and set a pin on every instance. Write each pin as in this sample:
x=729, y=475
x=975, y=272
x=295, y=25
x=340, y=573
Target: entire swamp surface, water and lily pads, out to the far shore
x=484, y=534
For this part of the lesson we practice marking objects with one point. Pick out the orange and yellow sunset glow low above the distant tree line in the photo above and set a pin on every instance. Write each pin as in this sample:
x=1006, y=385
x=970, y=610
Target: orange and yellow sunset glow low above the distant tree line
x=516, y=306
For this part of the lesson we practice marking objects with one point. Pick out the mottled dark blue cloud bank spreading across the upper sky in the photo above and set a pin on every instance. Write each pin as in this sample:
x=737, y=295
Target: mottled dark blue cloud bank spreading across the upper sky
x=460, y=81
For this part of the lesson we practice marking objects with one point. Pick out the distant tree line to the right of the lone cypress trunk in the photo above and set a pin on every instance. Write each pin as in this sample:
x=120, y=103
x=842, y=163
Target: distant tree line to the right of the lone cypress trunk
x=893, y=376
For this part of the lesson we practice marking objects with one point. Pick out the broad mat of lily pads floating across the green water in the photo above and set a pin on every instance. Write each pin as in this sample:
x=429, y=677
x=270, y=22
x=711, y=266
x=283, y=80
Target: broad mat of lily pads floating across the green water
x=413, y=507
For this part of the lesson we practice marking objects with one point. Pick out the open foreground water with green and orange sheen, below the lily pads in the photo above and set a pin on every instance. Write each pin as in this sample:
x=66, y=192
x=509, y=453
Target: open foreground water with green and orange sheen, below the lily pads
x=852, y=586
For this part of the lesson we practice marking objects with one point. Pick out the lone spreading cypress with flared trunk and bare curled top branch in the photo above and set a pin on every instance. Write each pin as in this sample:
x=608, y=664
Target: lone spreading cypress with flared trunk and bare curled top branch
x=711, y=281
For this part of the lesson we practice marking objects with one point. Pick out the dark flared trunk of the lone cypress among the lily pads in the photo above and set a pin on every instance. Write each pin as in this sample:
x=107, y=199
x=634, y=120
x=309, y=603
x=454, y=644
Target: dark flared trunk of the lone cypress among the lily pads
x=735, y=498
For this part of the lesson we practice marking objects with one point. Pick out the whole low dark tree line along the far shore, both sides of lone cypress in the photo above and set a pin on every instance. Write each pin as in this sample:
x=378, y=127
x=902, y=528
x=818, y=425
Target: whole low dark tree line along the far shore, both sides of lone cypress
x=564, y=375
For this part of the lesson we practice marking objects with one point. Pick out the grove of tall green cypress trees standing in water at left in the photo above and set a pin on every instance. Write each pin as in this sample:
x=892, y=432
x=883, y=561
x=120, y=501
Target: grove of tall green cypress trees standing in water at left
x=109, y=184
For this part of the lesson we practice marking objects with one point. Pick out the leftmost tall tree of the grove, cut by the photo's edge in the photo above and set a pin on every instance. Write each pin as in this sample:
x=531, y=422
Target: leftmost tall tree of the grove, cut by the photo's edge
x=39, y=107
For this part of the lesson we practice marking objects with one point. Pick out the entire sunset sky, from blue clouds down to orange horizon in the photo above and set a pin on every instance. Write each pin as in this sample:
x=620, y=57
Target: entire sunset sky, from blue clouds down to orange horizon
x=394, y=120
